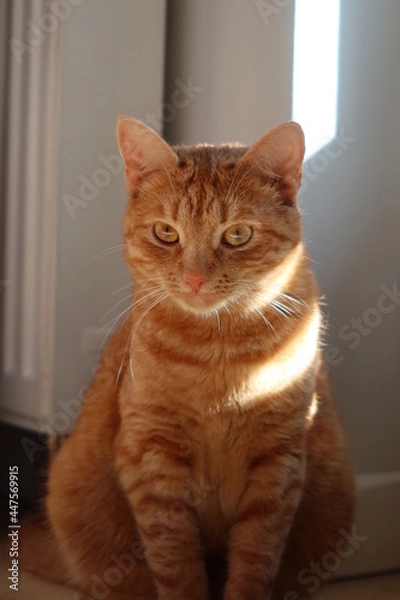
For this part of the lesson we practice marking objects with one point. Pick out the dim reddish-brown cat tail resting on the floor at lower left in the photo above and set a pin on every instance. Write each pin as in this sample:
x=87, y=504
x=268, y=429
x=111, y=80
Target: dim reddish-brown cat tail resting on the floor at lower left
x=39, y=552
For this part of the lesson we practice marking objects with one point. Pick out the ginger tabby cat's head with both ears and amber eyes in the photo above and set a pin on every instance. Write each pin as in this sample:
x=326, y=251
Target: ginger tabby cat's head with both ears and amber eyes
x=211, y=225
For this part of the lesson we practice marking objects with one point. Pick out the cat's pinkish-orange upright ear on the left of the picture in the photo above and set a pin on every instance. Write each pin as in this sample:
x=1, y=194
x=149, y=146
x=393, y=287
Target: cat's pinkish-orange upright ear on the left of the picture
x=143, y=152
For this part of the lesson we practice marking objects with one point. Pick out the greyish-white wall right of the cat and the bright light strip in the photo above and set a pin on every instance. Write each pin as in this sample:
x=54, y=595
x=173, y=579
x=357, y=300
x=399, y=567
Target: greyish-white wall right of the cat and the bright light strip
x=353, y=220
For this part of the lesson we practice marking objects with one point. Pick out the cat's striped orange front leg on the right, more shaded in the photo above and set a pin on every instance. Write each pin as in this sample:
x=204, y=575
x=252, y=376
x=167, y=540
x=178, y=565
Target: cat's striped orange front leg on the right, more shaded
x=262, y=524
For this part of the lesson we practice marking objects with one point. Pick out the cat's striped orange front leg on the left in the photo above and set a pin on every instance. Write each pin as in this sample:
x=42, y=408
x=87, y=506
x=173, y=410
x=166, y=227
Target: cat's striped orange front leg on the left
x=154, y=471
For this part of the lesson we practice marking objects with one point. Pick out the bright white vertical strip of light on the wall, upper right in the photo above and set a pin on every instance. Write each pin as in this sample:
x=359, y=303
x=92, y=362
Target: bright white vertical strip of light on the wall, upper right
x=315, y=70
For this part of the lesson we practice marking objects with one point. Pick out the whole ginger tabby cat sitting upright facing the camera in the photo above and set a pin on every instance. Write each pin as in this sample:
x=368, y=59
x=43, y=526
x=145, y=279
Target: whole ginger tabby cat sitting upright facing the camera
x=208, y=460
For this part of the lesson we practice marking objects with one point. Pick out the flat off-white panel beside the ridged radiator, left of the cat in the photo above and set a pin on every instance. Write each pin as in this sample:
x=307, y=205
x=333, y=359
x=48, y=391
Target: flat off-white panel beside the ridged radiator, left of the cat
x=112, y=64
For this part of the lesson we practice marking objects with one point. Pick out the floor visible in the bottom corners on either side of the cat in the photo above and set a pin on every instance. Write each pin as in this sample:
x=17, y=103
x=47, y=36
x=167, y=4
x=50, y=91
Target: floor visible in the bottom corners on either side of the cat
x=375, y=588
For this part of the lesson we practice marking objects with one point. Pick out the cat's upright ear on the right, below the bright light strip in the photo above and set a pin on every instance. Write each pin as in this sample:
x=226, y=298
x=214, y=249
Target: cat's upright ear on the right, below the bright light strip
x=279, y=154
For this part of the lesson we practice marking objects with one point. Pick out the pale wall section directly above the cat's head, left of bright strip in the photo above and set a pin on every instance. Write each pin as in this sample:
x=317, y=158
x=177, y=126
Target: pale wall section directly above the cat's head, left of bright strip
x=223, y=46
